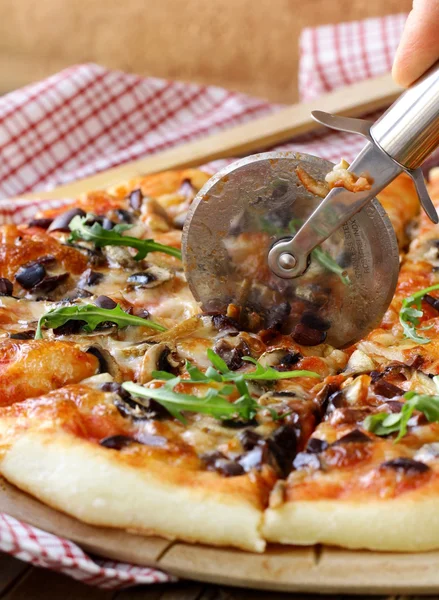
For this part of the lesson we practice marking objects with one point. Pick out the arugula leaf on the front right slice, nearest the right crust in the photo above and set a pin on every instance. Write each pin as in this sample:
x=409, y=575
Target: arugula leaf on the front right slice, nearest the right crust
x=384, y=423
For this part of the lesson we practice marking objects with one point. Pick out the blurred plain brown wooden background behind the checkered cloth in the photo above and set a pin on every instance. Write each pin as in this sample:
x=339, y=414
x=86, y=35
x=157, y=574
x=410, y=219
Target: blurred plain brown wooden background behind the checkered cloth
x=247, y=45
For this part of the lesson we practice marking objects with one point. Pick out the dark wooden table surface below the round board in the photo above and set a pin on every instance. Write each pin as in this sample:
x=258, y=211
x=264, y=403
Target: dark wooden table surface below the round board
x=21, y=581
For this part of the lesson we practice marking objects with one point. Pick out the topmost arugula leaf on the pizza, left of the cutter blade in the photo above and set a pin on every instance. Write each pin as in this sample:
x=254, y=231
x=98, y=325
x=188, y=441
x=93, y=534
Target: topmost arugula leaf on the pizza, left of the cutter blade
x=113, y=237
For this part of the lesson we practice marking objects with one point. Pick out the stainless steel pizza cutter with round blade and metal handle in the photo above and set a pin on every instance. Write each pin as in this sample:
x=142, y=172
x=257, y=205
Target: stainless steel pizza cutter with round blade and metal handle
x=260, y=242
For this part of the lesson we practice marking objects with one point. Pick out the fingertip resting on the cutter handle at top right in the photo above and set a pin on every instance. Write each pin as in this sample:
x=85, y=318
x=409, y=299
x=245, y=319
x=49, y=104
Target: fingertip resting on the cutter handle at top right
x=419, y=46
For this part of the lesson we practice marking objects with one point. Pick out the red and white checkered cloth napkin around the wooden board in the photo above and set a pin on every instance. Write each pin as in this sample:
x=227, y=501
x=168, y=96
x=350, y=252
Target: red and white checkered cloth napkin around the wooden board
x=87, y=119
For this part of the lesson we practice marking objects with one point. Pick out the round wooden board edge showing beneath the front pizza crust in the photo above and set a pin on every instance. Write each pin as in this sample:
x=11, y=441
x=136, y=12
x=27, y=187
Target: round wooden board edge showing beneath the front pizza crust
x=280, y=568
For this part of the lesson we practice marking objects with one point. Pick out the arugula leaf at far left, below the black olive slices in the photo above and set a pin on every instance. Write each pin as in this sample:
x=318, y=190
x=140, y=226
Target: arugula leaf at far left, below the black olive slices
x=93, y=316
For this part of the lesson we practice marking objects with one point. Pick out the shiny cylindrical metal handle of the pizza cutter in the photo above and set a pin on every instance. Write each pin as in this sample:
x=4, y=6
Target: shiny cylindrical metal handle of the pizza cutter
x=409, y=130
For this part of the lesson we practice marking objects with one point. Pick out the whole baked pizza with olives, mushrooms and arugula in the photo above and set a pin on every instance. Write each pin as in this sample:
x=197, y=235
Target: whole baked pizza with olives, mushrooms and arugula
x=124, y=405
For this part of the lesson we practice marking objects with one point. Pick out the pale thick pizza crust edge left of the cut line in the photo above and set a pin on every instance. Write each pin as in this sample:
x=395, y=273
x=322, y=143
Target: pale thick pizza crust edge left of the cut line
x=82, y=479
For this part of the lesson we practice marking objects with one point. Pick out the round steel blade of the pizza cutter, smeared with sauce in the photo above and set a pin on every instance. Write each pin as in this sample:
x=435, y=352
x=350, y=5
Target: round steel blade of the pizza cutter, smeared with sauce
x=244, y=210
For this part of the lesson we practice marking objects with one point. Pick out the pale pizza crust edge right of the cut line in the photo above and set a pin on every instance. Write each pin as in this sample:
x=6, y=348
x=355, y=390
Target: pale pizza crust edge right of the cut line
x=399, y=525
